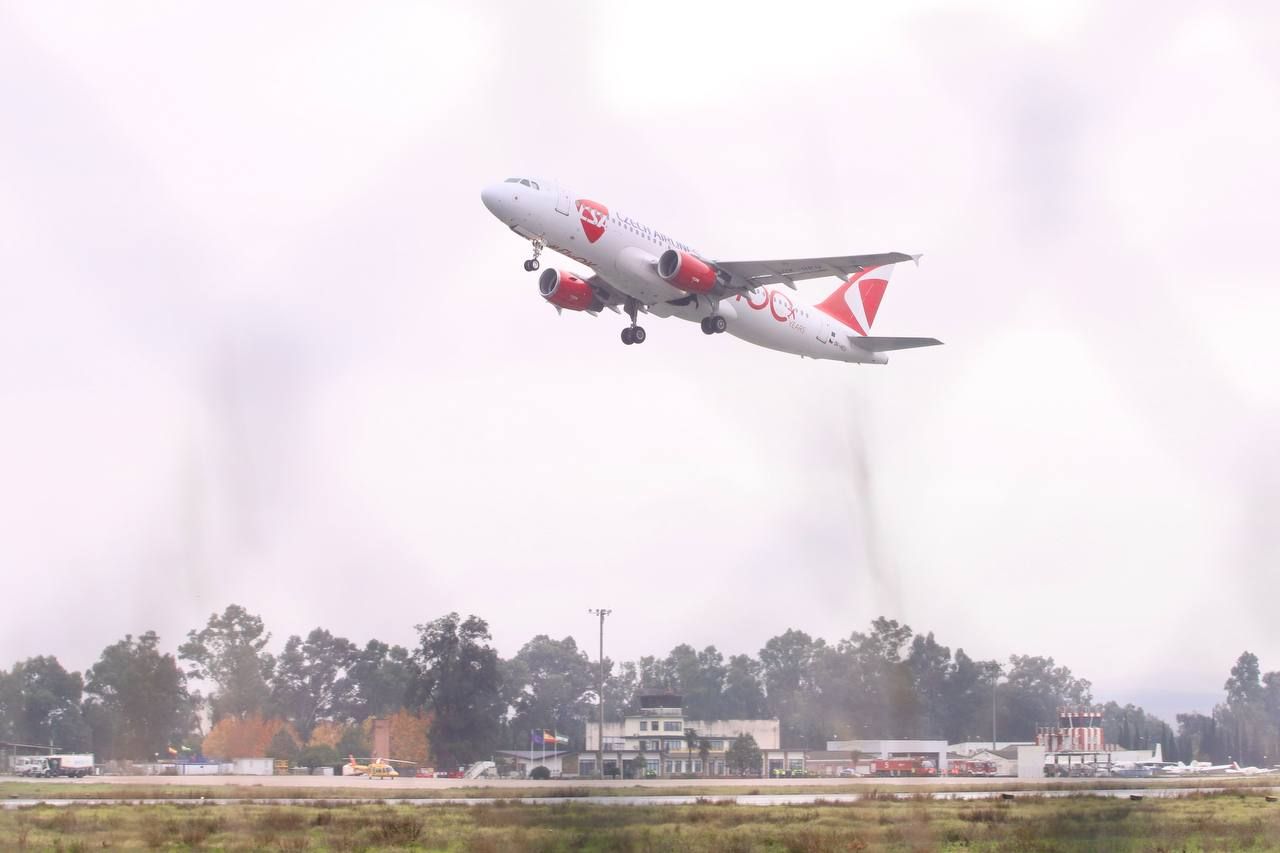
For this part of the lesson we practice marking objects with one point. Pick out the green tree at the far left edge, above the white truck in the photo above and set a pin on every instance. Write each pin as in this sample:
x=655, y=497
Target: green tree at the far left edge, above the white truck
x=40, y=704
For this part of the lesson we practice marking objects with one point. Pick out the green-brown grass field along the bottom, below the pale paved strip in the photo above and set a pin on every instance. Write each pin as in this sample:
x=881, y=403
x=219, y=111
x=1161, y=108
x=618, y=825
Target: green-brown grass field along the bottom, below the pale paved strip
x=1192, y=823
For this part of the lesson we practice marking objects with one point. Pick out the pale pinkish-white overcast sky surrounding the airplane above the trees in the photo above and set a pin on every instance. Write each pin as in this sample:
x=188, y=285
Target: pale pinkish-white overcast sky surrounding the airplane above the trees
x=260, y=343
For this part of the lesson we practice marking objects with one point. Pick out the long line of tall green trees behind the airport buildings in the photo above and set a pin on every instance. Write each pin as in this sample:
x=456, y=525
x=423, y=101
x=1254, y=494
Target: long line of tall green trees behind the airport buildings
x=452, y=699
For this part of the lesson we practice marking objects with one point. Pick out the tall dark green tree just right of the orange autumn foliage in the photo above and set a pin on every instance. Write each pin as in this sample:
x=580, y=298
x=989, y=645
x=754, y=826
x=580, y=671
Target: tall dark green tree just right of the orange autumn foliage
x=460, y=685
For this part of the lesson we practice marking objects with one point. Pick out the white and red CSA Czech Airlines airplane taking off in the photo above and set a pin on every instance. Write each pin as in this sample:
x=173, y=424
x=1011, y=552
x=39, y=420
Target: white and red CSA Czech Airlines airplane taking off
x=641, y=270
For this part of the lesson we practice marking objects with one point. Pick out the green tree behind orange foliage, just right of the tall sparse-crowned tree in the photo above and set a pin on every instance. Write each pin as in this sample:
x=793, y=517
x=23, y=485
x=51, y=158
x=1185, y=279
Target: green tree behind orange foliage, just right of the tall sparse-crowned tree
x=307, y=681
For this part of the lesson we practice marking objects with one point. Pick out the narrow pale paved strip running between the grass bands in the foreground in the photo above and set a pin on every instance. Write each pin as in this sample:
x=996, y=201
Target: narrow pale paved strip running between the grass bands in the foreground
x=657, y=800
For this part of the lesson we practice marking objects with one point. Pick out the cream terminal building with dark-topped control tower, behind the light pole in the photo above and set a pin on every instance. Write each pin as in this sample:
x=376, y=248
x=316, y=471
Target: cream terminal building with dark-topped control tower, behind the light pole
x=652, y=742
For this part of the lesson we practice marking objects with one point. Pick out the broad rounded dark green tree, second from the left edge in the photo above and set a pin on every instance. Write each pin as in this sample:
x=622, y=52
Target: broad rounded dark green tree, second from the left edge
x=138, y=703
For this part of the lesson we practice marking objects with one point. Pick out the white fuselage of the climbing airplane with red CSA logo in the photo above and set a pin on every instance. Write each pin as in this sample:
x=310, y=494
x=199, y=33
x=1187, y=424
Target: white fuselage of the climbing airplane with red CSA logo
x=625, y=254
